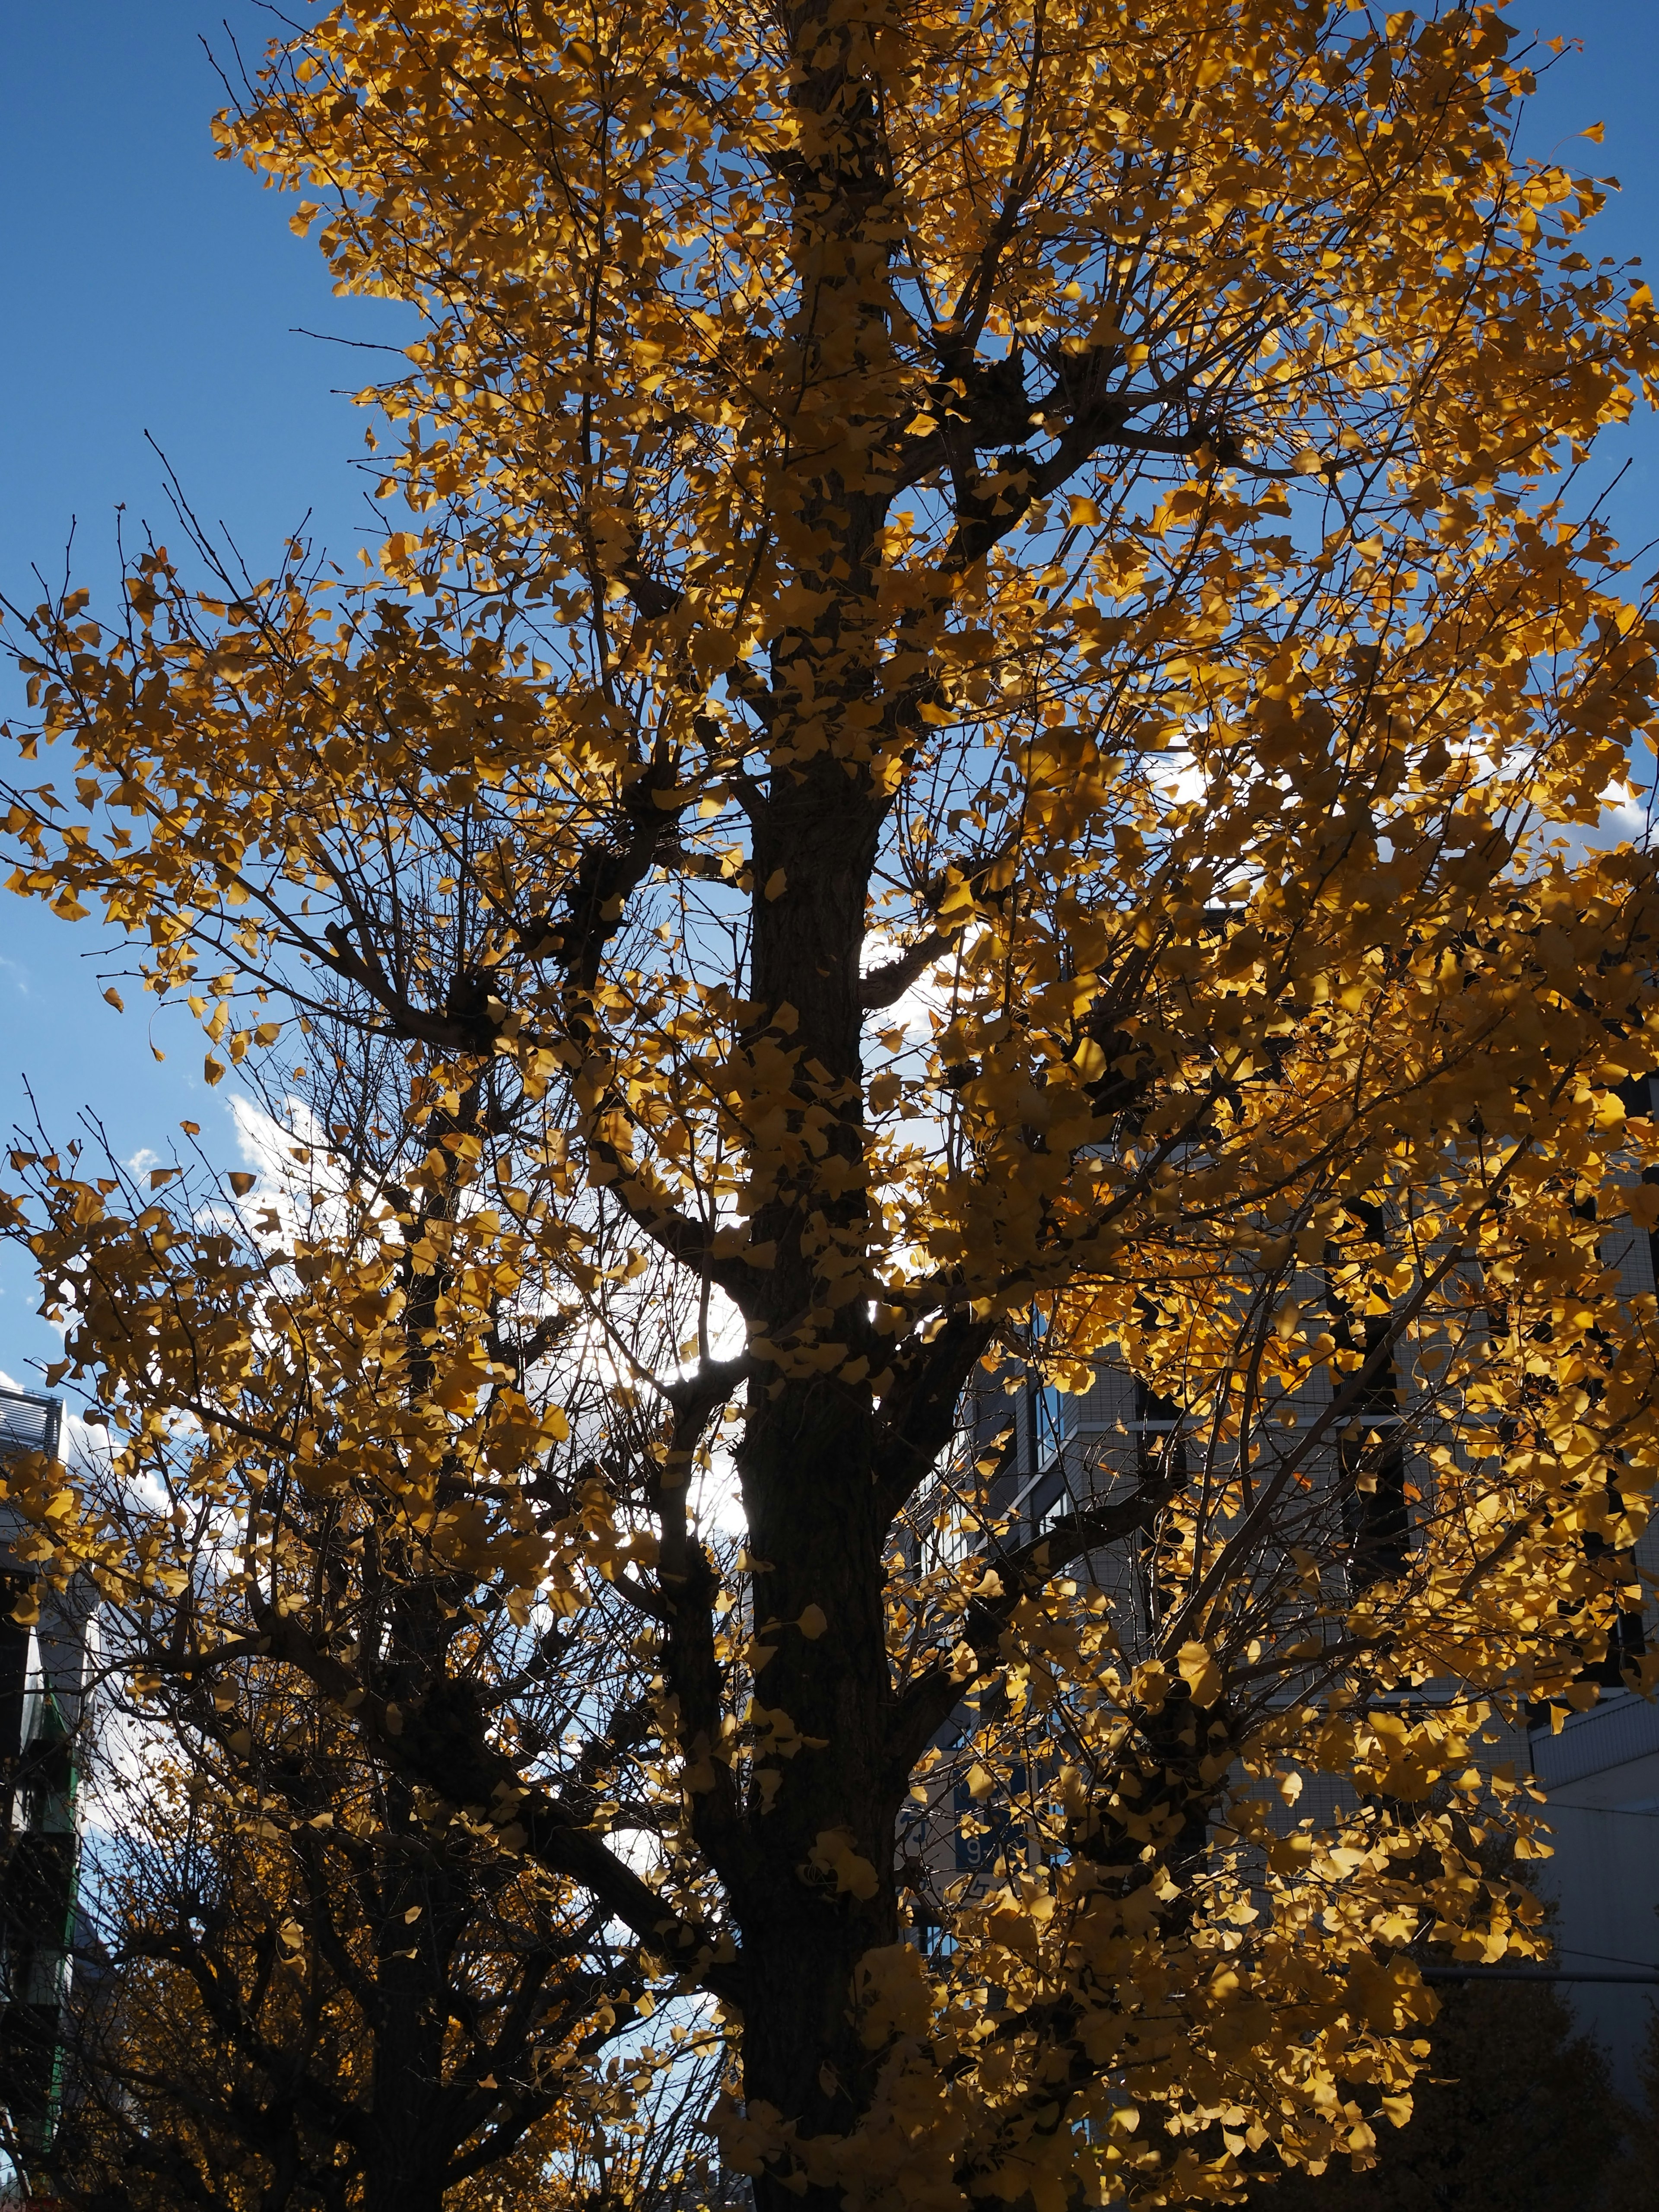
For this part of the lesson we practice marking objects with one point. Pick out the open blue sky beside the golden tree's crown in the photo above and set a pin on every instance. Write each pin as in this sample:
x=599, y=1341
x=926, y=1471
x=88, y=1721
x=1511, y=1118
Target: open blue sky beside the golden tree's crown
x=158, y=291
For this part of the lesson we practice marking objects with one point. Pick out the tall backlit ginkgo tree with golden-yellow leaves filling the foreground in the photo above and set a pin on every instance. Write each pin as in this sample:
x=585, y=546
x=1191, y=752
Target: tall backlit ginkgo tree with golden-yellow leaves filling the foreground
x=974, y=758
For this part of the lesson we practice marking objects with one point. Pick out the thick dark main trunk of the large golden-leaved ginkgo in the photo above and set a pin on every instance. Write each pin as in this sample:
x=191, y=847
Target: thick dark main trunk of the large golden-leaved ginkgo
x=817, y=1523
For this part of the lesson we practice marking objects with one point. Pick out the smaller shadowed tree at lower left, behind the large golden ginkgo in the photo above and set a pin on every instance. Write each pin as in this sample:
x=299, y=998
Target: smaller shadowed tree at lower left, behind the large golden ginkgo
x=311, y=1992
